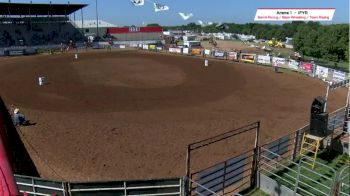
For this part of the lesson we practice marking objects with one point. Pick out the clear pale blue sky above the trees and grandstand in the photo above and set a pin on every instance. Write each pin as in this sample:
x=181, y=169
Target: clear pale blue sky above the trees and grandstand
x=123, y=13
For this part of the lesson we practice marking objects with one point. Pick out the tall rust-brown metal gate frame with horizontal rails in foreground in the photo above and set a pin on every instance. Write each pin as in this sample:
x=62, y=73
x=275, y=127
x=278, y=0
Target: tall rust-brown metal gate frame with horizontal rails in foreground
x=227, y=177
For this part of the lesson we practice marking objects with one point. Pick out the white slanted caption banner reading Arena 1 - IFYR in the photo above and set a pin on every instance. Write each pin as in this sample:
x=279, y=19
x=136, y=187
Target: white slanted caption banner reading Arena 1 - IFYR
x=294, y=14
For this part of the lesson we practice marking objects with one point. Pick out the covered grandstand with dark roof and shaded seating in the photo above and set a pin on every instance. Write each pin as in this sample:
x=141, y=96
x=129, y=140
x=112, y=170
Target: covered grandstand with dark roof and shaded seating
x=29, y=24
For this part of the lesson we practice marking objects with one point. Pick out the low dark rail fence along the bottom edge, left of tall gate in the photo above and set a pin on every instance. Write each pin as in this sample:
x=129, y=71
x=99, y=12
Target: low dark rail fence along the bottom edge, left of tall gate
x=39, y=186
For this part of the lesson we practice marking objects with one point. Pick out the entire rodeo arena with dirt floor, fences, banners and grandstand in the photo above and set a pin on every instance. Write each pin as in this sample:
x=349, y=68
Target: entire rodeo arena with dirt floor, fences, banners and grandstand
x=89, y=108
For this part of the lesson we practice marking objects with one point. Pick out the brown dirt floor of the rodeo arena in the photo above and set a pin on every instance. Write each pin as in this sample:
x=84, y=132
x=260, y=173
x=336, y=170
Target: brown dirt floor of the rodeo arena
x=131, y=114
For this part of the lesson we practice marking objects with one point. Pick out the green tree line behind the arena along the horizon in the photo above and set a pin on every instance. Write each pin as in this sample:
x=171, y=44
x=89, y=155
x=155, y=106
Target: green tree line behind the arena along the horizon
x=330, y=42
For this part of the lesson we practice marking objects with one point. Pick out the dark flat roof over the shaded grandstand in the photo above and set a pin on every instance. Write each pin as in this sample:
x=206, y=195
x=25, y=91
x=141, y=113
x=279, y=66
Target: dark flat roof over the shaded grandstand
x=38, y=8
